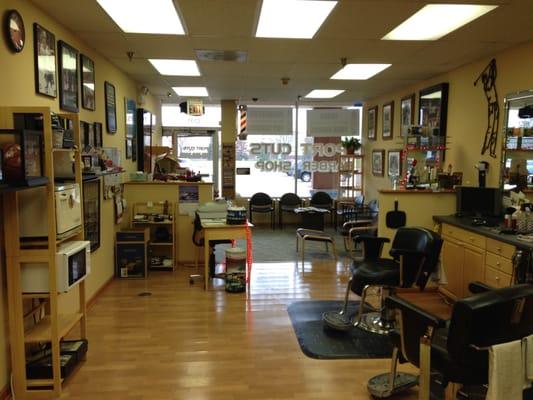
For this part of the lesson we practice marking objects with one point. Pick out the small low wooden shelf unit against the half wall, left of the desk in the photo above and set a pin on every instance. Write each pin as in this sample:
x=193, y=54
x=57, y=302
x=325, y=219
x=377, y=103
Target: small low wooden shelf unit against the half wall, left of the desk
x=158, y=248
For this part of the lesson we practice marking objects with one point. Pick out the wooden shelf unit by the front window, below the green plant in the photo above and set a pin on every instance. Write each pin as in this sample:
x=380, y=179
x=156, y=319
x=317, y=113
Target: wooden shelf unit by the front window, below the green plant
x=350, y=176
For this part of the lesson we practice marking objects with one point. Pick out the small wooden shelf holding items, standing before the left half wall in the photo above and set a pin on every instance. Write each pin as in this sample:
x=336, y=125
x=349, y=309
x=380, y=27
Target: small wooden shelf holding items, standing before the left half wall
x=155, y=248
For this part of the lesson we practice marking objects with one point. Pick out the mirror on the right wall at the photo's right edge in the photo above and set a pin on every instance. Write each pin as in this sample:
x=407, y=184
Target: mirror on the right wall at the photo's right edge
x=517, y=146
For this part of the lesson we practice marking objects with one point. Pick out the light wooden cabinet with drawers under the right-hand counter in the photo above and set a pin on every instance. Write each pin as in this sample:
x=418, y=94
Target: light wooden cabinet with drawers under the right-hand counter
x=467, y=257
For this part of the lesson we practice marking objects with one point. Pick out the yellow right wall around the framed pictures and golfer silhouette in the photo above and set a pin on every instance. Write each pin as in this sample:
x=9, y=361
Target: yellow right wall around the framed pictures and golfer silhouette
x=467, y=115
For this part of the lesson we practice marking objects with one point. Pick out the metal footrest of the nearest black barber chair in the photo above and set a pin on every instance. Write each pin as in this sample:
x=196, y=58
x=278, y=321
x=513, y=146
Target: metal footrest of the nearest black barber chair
x=386, y=385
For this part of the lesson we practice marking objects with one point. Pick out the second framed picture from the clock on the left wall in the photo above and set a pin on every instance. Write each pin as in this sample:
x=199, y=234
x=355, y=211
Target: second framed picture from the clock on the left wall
x=68, y=77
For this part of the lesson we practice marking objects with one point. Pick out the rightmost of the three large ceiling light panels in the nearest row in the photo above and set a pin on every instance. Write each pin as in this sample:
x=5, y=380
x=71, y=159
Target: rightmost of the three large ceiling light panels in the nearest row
x=437, y=20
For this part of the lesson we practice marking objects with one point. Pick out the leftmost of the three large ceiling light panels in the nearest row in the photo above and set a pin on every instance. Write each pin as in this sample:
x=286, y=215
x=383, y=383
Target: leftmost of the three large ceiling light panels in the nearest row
x=144, y=16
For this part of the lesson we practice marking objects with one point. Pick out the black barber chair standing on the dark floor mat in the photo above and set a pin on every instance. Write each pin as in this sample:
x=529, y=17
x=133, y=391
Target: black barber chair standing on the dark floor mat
x=415, y=255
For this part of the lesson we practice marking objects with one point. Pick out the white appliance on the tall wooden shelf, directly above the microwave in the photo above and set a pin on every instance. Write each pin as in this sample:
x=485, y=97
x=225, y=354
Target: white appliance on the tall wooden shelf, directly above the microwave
x=33, y=215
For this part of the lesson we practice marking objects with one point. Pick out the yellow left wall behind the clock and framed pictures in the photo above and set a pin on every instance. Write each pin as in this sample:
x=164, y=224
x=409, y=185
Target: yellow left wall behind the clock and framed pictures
x=18, y=89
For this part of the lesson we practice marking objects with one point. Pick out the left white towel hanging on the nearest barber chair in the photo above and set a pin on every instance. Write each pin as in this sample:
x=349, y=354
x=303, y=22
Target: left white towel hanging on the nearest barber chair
x=506, y=371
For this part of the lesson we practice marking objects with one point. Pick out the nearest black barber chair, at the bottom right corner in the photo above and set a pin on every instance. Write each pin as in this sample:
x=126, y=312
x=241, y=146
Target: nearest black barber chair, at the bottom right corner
x=457, y=349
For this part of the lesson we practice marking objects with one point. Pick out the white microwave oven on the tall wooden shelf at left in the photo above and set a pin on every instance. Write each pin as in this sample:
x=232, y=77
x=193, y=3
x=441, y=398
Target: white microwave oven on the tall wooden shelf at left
x=73, y=264
